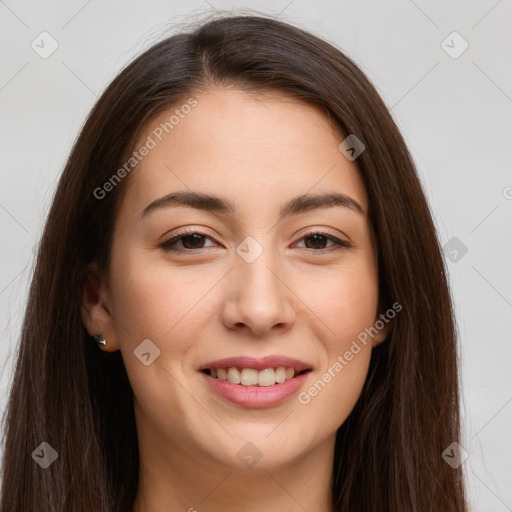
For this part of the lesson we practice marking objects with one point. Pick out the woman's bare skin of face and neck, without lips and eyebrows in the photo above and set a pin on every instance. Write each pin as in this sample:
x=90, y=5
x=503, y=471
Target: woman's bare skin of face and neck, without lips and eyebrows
x=295, y=299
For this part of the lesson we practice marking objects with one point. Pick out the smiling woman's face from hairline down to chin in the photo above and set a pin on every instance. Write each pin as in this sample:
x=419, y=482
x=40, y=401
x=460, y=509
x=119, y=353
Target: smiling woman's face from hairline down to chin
x=253, y=281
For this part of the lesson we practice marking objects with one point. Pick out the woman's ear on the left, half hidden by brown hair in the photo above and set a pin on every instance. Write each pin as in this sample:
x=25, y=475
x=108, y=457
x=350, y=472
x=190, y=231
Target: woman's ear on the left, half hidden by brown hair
x=96, y=311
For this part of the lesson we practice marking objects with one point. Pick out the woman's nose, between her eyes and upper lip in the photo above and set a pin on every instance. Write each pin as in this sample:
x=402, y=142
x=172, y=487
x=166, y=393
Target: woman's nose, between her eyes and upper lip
x=258, y=298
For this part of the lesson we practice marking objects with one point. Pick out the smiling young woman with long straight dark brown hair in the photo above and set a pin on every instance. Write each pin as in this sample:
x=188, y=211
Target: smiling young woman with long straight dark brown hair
x=239, y=300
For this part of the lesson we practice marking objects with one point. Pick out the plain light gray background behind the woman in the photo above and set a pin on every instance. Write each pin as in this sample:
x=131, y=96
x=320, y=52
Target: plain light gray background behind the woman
x=455, y=114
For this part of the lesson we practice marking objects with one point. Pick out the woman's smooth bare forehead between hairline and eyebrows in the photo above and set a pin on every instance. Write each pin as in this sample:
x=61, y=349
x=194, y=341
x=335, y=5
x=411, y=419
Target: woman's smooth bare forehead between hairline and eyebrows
x=254, y=149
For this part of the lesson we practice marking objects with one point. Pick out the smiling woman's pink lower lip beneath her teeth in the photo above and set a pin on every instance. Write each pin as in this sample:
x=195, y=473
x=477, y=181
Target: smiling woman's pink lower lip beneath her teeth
x=256, y=396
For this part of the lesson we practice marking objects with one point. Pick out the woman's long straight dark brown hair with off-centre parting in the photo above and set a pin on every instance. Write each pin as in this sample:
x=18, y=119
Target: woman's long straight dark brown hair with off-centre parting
x=78, y=399
